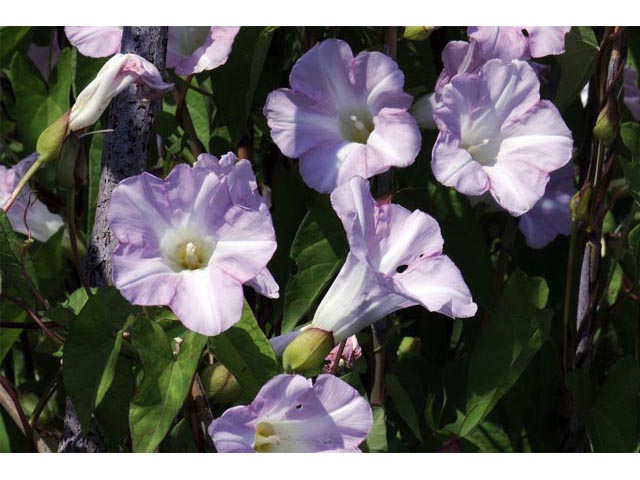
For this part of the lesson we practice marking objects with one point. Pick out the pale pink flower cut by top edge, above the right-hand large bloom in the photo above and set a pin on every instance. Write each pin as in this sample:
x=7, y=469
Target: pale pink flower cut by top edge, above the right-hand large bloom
x=518, y=43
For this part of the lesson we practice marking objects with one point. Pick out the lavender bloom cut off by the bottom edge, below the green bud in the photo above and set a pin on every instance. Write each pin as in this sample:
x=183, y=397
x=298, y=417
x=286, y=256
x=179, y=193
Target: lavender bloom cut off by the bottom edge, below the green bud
x=290, y=414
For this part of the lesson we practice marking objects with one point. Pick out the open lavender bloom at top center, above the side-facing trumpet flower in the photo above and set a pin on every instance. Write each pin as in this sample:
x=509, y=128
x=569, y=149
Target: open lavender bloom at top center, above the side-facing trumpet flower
x=343, y=116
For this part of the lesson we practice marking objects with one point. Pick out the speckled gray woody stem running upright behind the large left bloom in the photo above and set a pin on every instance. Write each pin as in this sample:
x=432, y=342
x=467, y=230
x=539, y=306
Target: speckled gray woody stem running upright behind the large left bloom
x=124, y=154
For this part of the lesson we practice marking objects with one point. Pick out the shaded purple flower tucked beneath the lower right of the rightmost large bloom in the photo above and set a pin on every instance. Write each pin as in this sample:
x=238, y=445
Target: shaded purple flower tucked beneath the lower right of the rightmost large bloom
x=551, y=216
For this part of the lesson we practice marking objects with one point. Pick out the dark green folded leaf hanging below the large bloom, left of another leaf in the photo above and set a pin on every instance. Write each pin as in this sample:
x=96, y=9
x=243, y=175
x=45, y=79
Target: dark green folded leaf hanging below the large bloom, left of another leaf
x=91, y=351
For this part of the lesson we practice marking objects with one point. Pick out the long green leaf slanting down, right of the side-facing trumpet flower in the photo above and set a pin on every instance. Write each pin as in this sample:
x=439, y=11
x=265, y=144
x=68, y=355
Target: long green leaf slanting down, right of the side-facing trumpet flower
x=517, y=329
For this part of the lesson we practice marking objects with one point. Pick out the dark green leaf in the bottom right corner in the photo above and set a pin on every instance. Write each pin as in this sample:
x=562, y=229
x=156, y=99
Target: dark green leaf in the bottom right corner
x=612, y=423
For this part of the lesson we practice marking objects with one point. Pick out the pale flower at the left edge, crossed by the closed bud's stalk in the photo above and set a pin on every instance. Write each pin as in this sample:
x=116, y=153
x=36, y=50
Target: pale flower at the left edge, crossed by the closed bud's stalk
x=40, y=222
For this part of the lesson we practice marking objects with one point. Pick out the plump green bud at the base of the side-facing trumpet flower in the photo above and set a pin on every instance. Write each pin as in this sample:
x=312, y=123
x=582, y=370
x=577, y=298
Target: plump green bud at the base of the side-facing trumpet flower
x=308, y=351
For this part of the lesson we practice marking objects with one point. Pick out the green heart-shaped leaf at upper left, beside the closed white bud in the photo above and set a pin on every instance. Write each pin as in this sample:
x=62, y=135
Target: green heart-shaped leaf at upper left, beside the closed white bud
x=38, y=106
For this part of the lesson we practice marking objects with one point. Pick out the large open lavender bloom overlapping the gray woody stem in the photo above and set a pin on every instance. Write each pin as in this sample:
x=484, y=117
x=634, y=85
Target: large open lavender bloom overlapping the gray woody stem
x=191, y=241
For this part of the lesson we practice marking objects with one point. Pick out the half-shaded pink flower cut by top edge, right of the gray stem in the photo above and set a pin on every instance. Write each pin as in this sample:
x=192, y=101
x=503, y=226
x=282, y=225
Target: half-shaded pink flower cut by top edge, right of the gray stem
x=192, y=50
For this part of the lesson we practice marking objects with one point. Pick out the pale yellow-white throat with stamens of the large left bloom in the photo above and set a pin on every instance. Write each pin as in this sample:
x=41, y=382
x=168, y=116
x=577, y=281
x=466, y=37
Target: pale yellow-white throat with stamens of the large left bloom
x=186, y=250
